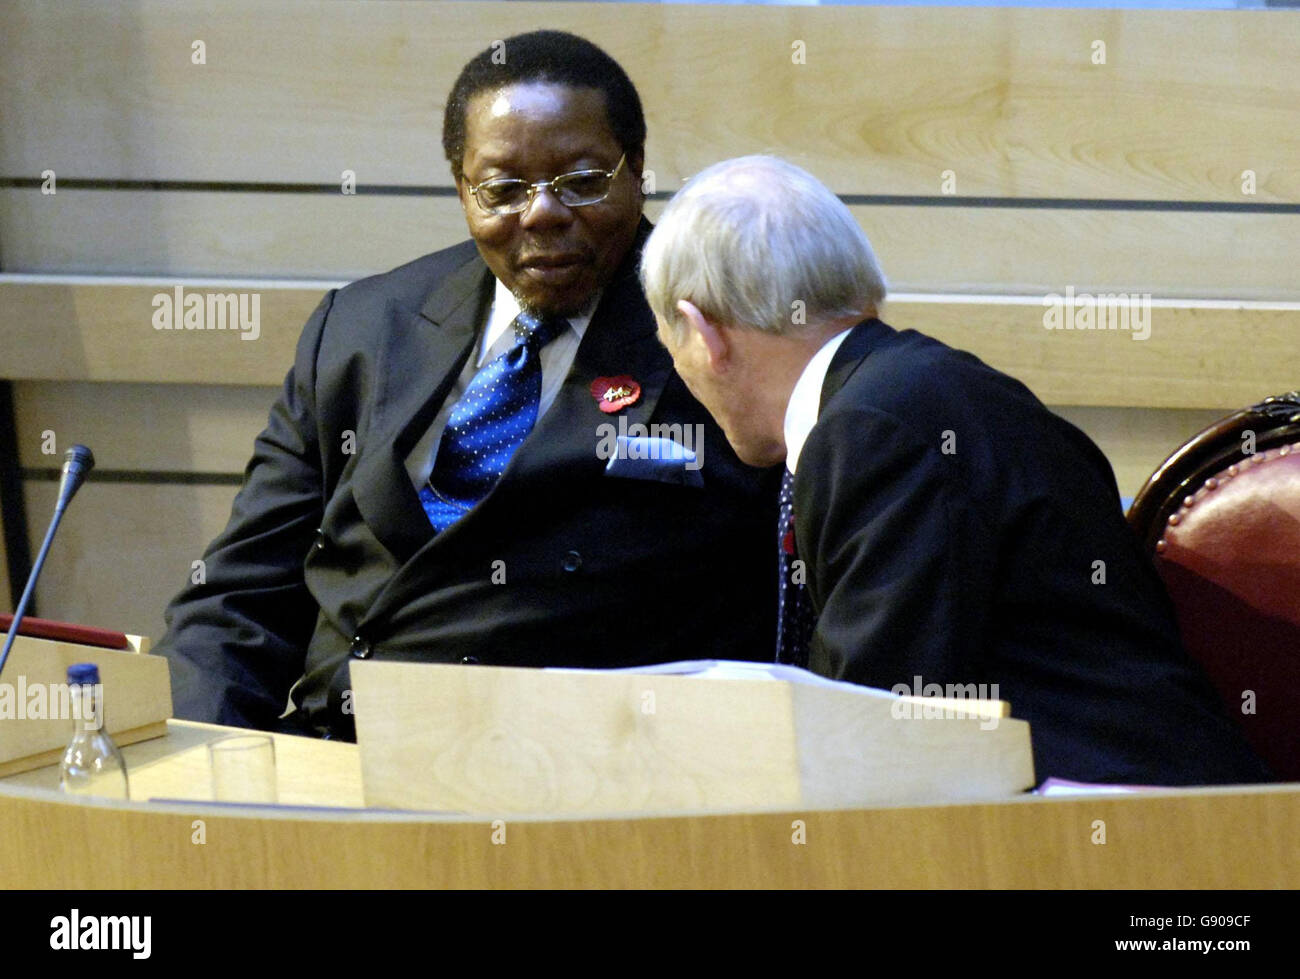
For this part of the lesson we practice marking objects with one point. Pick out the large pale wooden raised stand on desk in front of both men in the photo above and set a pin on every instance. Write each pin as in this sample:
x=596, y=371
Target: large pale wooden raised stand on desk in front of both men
x=514, y=740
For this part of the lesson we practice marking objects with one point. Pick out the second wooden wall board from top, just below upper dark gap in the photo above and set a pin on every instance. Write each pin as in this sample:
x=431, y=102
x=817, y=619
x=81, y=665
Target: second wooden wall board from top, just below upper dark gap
x=922, y=249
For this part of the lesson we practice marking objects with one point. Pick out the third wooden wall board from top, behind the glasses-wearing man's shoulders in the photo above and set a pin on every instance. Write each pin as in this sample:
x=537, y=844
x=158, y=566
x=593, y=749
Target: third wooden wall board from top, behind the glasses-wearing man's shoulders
x=1199, y=354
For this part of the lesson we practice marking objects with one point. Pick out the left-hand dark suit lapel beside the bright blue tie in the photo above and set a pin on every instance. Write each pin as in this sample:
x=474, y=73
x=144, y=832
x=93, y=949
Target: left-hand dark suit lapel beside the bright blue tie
x=409, y=397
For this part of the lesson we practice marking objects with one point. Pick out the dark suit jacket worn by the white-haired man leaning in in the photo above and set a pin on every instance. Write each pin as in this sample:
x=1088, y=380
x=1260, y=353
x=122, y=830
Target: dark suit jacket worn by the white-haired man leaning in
x=981, y=566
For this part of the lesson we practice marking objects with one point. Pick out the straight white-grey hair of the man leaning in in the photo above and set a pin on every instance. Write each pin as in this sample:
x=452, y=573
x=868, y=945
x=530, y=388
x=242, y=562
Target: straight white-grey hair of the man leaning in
x=760, y=242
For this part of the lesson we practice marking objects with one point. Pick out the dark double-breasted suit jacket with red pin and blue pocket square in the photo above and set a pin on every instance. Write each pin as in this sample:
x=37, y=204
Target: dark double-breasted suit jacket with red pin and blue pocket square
x=330, y=556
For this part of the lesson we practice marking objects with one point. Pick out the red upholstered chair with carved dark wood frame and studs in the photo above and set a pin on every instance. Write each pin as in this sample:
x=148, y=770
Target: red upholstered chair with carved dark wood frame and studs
x=1223, y=519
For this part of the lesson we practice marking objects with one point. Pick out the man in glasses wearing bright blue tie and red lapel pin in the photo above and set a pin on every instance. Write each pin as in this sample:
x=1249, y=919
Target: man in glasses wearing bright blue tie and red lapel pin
x=432, y=483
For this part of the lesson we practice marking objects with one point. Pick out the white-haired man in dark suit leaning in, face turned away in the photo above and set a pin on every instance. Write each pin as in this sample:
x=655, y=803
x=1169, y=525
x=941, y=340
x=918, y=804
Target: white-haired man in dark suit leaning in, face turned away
x=948, y=525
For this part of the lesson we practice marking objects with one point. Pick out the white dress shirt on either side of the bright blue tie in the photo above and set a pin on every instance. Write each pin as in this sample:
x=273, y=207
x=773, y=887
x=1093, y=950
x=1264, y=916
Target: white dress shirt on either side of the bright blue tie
x=557, y=359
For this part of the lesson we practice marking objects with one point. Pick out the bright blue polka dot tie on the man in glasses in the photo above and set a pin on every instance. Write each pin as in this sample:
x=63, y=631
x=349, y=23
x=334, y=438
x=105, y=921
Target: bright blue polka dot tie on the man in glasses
x=489, y=423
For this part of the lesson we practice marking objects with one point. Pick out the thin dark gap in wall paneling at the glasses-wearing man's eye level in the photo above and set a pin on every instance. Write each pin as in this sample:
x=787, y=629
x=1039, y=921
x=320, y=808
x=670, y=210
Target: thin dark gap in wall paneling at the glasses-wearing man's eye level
x=872, y=200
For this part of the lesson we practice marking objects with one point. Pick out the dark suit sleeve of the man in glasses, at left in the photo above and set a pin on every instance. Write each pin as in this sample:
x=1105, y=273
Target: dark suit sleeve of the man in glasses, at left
x=237, y=639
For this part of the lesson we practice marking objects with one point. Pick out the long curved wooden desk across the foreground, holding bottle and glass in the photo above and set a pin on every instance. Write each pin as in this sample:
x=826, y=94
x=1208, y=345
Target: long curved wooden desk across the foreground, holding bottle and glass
x=1225, y=838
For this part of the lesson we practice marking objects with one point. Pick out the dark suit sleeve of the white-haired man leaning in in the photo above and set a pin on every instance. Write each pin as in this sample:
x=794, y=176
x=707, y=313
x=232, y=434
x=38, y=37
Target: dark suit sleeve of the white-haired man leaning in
x=896, y=579
